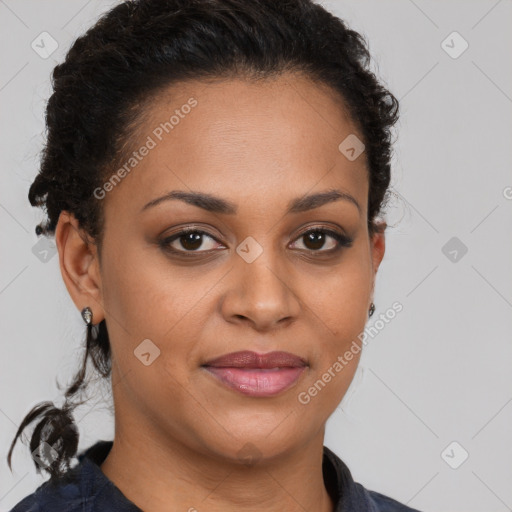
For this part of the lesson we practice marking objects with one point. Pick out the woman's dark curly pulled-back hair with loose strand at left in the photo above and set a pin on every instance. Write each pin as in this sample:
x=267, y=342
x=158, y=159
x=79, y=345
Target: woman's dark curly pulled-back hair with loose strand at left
x=113, y=71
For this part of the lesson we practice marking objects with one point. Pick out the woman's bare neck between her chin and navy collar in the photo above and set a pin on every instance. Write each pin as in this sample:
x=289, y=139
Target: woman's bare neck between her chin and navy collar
x=170, y=476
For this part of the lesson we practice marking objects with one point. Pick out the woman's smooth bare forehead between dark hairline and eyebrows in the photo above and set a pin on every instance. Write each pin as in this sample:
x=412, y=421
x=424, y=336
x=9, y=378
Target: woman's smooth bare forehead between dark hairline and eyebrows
x=243, y=139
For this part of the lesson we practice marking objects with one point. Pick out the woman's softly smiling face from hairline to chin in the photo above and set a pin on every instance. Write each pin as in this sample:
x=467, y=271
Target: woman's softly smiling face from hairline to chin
x=260, y=278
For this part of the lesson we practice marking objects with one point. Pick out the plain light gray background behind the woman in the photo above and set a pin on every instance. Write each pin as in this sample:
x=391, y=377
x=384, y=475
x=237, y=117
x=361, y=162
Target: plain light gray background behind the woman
x=441, y=370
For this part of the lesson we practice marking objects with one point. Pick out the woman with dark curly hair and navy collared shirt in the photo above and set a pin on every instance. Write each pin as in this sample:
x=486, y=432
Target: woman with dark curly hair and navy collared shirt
x=213, y=176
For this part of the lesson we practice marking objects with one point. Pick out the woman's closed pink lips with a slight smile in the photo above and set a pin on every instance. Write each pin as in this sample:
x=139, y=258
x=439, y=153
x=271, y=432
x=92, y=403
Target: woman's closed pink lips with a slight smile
x=257, y=374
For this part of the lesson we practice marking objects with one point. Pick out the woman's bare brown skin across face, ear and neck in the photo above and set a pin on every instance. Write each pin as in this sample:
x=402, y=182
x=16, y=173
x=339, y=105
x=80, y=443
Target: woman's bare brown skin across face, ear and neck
x=178, y=430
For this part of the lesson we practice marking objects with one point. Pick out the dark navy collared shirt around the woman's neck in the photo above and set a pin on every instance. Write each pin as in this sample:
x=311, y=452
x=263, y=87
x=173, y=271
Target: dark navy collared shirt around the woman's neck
x=85, y=488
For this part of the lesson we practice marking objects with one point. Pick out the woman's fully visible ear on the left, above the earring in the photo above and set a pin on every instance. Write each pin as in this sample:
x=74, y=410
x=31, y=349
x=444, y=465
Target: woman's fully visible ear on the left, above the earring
x=79, y=265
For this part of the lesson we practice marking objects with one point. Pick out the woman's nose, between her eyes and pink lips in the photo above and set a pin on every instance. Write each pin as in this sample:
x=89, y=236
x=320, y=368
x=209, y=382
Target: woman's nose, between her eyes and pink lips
x=260, y=294
